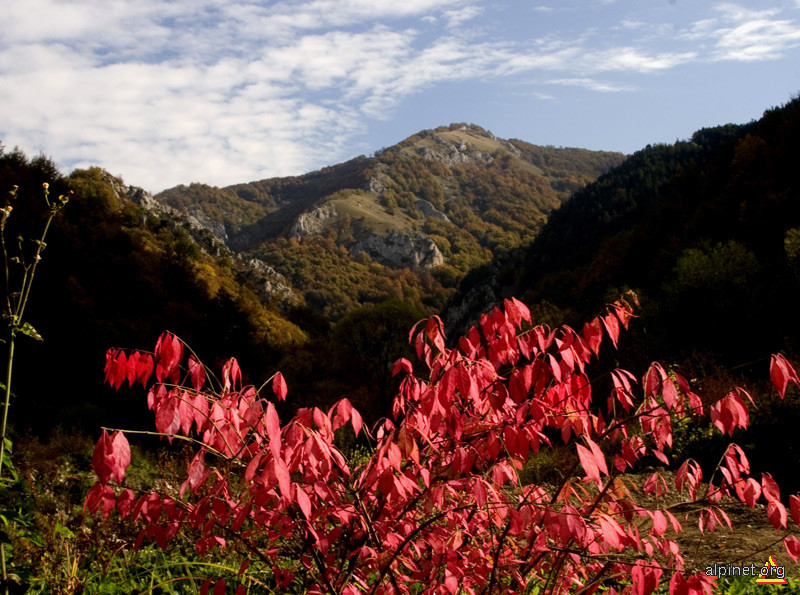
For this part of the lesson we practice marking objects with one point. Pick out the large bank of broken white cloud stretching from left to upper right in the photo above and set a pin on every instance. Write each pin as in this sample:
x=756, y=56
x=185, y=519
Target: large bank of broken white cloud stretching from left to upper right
x=174, y=91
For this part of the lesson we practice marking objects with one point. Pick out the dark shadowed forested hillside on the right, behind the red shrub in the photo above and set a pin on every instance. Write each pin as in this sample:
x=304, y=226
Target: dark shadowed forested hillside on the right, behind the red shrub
x=707, y=233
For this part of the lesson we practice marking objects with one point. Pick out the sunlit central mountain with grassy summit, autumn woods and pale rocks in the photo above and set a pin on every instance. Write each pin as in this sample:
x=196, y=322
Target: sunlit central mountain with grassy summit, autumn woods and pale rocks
x=407, y=223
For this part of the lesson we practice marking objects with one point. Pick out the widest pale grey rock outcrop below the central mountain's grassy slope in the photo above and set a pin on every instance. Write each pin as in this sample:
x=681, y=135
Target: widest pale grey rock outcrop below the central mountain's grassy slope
x=400, y=251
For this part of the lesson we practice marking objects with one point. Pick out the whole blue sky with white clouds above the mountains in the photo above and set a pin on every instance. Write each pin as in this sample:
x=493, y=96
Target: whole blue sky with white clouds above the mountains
x=168, y=92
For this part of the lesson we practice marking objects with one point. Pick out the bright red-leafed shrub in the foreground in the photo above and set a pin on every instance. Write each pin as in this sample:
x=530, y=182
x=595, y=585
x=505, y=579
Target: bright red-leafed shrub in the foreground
x=439, y=508
